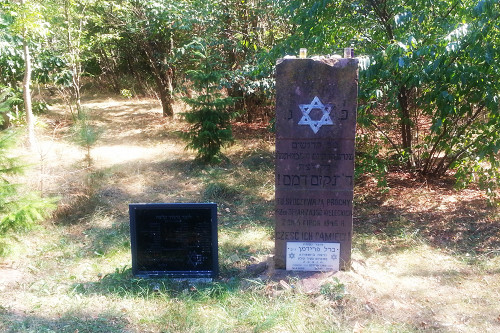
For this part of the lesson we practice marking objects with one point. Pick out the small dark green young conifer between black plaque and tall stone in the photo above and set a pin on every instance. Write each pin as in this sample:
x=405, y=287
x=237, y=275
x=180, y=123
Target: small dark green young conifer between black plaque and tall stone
x=209, y=118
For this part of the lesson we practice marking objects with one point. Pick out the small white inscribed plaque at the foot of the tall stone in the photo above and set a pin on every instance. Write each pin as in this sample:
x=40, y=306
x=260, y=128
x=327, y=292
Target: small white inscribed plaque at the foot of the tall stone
x=312, y=256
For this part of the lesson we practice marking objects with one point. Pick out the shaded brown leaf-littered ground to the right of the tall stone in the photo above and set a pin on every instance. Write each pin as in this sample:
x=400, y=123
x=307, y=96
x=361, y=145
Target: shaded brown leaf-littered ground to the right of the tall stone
x=458, y=221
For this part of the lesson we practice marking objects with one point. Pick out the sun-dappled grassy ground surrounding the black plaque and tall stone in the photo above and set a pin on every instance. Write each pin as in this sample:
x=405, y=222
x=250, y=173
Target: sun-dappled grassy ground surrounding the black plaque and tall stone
x=425, y=257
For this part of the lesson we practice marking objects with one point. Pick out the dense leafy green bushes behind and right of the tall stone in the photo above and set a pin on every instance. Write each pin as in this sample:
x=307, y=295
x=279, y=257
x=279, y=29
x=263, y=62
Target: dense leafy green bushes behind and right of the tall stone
x=428, y=81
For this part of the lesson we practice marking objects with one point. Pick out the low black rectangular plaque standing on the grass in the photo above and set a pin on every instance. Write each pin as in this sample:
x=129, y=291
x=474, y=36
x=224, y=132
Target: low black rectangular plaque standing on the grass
x=174, y=240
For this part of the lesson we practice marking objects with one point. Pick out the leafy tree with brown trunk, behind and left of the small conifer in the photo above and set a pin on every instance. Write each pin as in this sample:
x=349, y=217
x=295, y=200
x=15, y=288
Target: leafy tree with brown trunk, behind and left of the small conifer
x=145, y=39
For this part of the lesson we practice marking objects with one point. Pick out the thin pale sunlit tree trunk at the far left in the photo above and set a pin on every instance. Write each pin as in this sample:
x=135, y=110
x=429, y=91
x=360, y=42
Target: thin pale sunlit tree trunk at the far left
x=30, y=119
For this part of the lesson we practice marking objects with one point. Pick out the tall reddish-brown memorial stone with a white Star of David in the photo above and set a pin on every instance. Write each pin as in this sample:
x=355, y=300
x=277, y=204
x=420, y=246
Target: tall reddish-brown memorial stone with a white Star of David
x=316, y=101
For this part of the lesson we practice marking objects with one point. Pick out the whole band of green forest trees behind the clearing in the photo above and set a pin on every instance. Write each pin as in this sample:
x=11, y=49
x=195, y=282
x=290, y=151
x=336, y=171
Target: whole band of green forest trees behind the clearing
x=429, y=71
